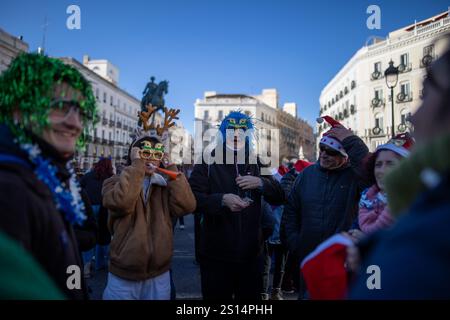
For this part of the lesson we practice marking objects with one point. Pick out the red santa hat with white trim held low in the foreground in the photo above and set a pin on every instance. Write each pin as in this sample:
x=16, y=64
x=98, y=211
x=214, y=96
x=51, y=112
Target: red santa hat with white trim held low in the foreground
x=324, y=271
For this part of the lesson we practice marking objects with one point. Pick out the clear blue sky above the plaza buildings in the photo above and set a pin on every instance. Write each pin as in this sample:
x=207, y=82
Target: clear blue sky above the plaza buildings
x=227, y=46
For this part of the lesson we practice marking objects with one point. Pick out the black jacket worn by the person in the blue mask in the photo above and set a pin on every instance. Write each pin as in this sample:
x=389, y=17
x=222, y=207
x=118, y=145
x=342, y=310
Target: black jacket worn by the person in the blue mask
x=224, y=235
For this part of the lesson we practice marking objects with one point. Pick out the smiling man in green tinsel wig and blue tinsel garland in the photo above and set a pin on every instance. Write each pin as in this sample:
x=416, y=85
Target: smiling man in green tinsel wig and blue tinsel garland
x=46, y=107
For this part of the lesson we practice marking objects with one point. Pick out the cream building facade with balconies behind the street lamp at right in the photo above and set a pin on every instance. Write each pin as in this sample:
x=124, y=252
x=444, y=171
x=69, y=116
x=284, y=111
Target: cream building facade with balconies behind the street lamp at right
x=358, y=96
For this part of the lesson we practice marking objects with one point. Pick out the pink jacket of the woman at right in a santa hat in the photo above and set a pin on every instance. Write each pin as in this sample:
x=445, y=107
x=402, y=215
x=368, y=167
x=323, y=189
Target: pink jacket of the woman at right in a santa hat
x=373, y=211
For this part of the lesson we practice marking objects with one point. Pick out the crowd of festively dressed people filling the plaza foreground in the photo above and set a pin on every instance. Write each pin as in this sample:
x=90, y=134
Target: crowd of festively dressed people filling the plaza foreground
x=391, y=204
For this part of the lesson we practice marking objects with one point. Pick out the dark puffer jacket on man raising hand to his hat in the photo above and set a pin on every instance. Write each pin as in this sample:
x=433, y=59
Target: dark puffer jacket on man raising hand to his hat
x=324, y=202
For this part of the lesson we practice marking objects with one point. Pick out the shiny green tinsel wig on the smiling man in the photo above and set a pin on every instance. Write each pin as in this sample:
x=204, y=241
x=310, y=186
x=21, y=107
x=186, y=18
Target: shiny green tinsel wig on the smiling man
x=27, y=85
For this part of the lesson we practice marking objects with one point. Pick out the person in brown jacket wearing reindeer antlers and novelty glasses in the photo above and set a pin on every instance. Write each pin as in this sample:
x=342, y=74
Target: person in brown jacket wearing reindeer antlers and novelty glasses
x=141, y=204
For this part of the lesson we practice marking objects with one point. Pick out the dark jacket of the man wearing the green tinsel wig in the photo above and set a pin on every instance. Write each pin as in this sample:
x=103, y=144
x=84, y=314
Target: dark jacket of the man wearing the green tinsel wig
x=29, y=215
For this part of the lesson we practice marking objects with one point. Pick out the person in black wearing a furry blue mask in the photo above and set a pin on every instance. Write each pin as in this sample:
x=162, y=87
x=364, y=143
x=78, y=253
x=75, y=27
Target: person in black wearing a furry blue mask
x=229, y=196
